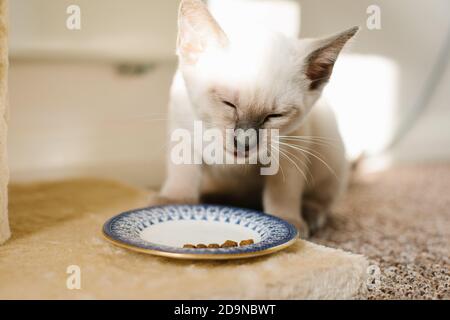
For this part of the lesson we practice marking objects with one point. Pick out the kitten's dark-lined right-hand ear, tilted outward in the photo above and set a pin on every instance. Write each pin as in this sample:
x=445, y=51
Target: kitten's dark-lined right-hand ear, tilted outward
x=324, y=53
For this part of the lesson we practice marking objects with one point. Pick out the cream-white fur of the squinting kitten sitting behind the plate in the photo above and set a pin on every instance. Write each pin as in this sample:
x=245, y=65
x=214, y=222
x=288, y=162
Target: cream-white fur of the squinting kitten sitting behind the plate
x=262, y=76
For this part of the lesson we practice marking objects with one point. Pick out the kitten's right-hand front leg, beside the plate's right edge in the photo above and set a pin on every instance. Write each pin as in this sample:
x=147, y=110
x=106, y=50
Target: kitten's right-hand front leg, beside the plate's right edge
x=282, y=196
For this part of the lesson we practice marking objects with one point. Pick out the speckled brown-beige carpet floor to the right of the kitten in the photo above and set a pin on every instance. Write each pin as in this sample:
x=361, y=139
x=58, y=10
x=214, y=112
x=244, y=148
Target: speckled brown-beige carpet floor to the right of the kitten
x=400, y=219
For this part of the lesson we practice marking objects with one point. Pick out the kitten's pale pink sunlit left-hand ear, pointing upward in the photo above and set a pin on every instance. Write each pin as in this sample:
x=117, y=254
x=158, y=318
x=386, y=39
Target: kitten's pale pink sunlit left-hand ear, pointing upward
x=197, y=31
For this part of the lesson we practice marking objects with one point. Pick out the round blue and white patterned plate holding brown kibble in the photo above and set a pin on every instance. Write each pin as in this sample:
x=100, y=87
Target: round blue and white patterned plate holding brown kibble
x=164, y=231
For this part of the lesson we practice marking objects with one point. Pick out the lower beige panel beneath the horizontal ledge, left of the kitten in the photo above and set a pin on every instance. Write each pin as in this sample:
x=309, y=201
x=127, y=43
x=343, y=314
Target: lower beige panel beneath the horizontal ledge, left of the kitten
x=72, y=119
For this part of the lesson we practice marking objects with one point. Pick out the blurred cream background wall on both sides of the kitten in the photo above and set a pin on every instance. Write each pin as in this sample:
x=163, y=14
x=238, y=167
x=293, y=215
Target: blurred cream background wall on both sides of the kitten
x=94, y=101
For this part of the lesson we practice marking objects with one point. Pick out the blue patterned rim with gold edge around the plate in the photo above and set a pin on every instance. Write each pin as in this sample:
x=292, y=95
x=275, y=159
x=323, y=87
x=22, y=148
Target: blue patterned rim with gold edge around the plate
x=181, y=253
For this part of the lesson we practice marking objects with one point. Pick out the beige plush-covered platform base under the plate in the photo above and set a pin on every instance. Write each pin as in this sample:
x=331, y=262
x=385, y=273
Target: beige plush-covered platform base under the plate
x=56, y=225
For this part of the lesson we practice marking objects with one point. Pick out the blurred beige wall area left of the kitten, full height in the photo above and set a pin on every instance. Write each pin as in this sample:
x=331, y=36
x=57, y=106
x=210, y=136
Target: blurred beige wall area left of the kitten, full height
x=72, y=113
